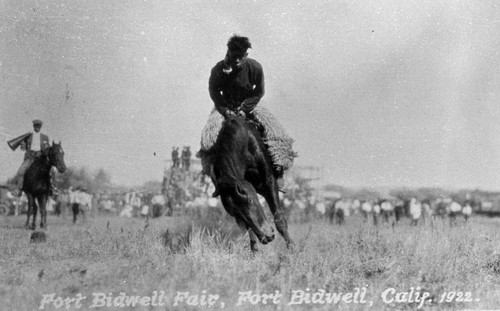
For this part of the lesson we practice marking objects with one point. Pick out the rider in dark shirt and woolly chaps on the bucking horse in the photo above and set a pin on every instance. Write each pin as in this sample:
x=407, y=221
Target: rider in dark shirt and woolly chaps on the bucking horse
x=236, y=86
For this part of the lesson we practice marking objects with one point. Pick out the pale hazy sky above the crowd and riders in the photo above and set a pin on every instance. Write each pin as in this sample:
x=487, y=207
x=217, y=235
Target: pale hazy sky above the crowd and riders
x=375, y=93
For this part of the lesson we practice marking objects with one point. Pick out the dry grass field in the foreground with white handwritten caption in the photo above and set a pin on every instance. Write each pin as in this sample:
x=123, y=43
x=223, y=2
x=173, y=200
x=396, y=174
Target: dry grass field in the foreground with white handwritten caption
x=187, y=263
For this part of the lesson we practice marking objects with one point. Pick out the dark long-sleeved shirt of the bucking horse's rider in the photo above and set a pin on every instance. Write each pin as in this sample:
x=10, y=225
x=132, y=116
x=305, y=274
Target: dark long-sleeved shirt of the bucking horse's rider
x=229, y=90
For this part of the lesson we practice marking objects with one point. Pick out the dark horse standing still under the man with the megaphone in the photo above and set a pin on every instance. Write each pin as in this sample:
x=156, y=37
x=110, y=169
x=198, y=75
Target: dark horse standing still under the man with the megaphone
x=36, y=183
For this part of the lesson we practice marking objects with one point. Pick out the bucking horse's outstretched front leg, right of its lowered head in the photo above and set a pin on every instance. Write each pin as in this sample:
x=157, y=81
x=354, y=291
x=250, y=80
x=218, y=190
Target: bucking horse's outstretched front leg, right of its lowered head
x=270, y=193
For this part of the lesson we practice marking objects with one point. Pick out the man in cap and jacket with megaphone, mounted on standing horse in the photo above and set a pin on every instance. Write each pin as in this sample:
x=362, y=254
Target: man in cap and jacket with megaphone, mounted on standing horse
x=36, y=144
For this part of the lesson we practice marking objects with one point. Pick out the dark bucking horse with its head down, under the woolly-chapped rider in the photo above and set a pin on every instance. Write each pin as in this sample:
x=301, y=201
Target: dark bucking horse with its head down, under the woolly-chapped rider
x=242, y=168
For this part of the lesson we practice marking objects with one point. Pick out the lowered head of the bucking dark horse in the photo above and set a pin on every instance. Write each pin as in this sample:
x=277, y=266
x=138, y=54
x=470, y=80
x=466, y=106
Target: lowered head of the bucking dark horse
x=240, y=201
